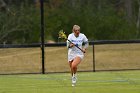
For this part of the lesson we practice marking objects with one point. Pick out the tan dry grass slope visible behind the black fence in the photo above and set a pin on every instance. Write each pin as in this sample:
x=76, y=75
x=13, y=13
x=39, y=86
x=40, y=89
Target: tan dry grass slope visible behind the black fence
x=107, y=57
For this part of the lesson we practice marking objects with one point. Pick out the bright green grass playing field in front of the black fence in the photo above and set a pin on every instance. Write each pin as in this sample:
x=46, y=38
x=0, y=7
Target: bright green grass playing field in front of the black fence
x=88, y=82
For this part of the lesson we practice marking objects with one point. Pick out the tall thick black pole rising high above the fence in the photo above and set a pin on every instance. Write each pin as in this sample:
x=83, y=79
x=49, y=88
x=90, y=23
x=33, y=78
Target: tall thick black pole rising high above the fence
x=42, y=33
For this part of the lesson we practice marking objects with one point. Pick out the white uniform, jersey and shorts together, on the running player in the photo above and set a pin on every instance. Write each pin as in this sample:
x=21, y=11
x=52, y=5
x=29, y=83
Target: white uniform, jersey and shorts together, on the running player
x=74, y=51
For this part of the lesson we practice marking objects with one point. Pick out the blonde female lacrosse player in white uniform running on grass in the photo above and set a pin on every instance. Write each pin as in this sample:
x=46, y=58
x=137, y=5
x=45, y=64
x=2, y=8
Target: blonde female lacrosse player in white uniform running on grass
x=75, y=55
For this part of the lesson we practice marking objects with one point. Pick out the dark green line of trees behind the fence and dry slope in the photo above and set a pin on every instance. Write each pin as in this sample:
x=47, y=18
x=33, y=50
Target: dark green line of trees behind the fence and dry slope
x=98, y=19
